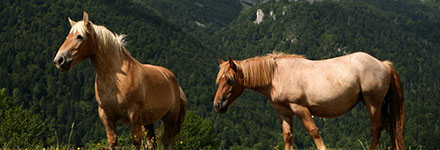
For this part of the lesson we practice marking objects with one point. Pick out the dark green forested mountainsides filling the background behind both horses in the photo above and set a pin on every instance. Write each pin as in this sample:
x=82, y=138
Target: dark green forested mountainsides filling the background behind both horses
x=43, y=107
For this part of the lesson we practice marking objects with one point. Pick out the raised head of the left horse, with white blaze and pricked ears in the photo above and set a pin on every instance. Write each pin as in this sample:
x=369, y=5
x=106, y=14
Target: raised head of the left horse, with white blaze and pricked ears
x=79, y=44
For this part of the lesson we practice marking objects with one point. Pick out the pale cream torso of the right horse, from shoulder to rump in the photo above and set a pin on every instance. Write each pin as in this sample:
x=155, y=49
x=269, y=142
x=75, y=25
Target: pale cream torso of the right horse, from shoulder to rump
x=323, y=85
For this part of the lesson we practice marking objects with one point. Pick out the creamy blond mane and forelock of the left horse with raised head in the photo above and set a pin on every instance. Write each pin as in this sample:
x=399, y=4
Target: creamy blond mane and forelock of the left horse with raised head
x=106, y=40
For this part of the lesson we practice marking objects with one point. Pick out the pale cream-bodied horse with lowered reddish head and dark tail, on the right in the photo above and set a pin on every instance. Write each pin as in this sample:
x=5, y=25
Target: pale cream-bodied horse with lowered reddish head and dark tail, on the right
x=296, y=86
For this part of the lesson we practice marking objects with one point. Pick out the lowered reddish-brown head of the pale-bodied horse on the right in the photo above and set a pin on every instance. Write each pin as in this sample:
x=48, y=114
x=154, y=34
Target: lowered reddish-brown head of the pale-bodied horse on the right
x=230, y=85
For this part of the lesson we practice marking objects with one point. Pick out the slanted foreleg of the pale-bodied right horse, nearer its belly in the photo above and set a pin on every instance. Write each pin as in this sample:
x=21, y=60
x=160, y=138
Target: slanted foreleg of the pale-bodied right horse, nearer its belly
x=305, y=116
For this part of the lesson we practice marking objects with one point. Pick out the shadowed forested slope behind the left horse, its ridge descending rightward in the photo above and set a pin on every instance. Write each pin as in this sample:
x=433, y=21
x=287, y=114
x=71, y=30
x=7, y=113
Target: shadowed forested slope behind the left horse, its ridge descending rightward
x=32, y=31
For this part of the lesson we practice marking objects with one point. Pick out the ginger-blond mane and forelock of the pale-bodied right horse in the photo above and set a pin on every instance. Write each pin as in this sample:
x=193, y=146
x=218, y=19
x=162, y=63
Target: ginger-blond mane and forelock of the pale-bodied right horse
x=257, y=71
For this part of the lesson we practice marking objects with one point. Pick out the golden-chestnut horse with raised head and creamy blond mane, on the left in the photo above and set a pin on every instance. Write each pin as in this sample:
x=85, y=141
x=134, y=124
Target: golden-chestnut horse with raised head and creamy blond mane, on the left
x=126, y=90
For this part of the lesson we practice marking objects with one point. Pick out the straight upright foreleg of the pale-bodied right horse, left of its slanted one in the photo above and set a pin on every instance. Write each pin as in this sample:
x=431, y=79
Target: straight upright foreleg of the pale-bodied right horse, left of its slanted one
x=286, y=124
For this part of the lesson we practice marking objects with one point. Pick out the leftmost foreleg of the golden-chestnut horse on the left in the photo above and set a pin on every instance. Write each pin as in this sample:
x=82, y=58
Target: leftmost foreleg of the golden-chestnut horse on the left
x=110, y=129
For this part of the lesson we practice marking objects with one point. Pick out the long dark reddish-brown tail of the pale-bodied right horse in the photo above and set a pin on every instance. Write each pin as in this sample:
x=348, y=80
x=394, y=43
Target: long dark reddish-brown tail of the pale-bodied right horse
x=394, y=112
